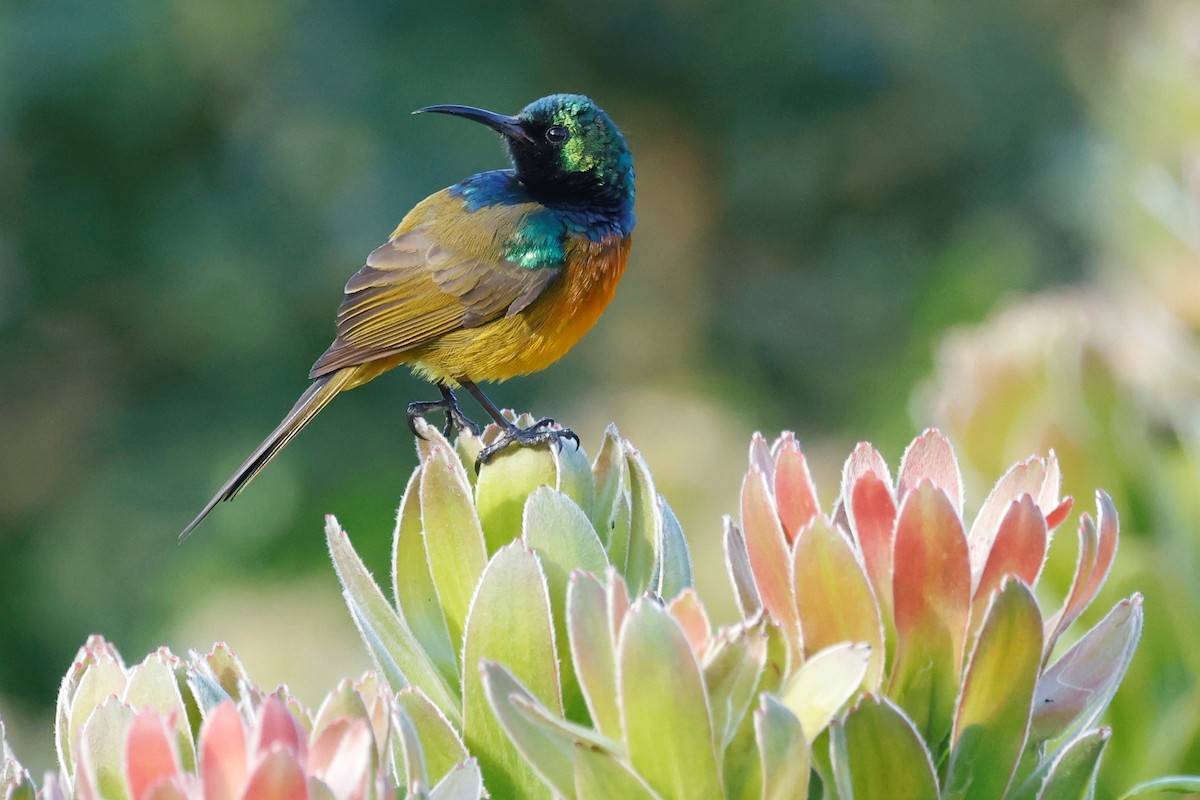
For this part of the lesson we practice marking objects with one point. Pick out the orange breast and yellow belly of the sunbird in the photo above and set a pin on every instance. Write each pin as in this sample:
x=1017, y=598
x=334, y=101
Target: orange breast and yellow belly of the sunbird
x=542, y=334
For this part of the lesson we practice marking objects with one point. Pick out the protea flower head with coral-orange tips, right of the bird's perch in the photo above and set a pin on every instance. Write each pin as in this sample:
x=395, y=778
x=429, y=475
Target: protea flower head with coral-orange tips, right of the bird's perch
x=959, y=701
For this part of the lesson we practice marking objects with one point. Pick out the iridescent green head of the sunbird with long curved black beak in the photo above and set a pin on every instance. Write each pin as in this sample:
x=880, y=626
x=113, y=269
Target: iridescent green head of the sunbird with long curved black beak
x=563, y=147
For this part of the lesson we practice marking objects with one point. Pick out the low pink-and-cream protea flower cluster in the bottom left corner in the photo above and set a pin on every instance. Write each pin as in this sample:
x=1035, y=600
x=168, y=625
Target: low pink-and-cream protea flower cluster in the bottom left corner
x=169, y=729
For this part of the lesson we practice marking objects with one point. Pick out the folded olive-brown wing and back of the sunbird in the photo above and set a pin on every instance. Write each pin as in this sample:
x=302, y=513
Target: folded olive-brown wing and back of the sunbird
x=431, y=279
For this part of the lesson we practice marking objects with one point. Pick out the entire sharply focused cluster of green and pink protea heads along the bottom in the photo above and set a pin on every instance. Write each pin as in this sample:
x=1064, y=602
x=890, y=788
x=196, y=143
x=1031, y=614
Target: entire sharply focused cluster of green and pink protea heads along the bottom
x=543, y=640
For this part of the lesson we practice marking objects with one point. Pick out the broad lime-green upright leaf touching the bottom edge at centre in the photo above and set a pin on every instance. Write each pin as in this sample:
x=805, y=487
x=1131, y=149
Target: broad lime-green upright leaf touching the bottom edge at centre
x=669, y=731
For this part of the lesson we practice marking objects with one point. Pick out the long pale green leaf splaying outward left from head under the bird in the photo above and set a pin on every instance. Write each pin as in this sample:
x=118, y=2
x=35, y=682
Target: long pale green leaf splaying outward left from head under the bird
x=392, y=645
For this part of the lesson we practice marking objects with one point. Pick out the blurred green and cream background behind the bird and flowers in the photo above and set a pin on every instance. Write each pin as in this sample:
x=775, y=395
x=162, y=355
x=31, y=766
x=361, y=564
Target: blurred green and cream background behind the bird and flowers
x=856, y=220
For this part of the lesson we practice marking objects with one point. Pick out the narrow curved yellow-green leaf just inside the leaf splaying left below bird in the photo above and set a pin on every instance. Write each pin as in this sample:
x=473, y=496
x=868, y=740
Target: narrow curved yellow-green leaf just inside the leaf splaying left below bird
x=417, y=598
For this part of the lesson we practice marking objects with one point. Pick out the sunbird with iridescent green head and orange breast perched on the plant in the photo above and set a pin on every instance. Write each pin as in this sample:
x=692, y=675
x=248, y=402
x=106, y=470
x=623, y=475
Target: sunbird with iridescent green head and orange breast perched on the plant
x=494, y=278
